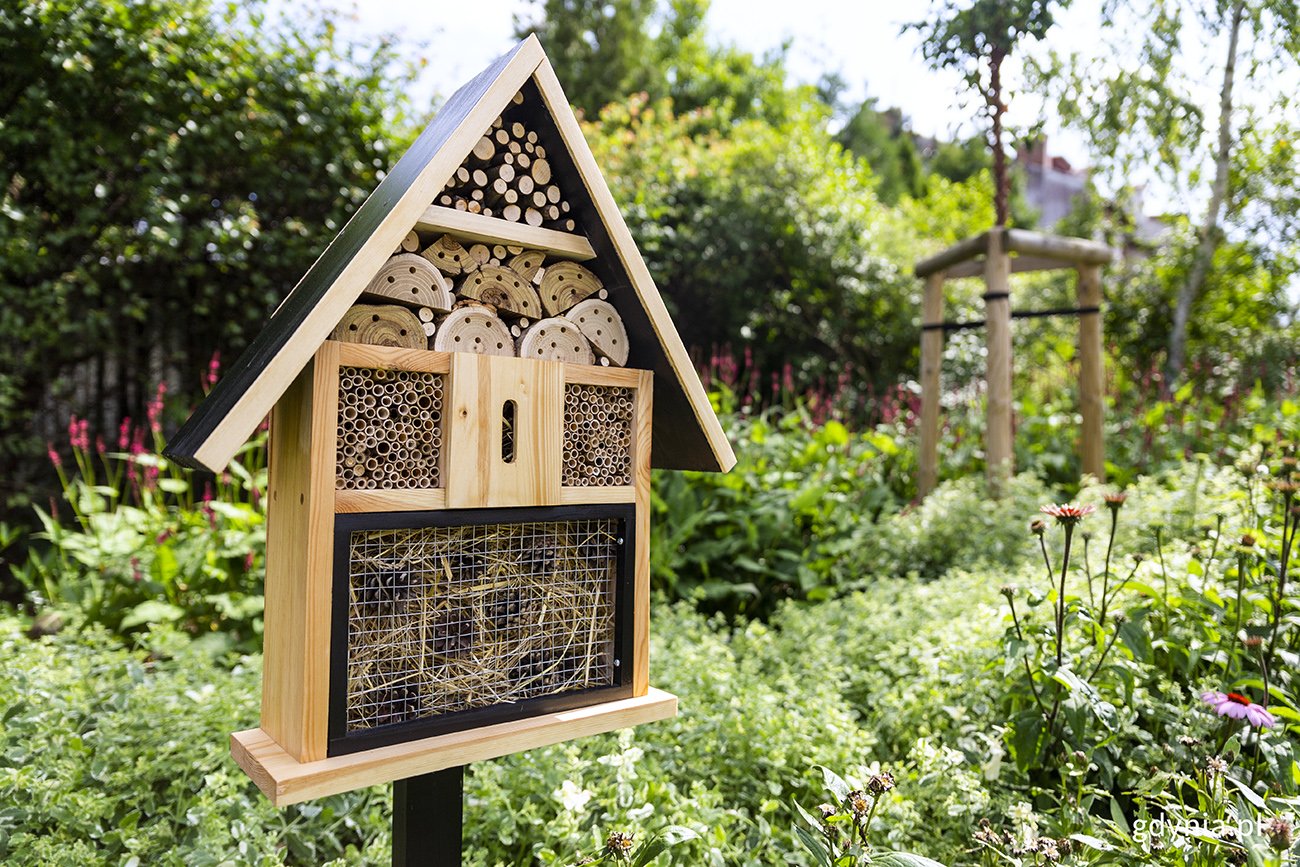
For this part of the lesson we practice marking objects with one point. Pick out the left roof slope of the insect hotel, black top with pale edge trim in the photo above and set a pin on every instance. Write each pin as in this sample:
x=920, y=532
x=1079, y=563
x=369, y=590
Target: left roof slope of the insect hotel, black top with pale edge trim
x=229, y=415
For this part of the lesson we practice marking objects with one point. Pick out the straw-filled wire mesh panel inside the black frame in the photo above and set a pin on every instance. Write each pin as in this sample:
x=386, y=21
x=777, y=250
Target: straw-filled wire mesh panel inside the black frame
x=449, y=619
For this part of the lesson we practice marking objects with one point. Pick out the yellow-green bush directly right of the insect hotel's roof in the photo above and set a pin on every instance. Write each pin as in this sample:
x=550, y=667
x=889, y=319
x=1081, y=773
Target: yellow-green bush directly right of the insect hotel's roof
x=757, y=240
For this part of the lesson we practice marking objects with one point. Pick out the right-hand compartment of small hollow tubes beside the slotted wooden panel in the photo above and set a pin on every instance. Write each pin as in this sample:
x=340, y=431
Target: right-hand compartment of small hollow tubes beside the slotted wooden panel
x=597, y=436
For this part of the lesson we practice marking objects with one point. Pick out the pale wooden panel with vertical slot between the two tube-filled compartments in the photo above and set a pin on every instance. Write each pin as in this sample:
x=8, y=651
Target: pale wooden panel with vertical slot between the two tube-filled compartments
x=478, y=475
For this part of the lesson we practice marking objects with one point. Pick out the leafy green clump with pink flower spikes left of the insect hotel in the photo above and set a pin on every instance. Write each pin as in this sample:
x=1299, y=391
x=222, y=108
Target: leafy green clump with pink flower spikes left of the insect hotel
x=144, y=547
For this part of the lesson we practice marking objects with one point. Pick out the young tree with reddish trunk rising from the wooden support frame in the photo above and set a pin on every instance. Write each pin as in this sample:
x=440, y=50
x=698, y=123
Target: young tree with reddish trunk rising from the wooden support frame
x=976, y=38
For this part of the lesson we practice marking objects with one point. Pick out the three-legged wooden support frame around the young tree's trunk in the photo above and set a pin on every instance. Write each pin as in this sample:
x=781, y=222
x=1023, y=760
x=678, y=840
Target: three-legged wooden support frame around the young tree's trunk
x=998, y=254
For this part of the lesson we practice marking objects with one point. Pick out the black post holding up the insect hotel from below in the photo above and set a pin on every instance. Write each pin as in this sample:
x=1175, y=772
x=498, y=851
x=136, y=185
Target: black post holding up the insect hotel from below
x=427, y=820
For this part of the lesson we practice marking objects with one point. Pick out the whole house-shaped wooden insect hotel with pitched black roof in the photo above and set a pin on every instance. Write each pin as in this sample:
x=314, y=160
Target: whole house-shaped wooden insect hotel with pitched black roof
x=463, y=395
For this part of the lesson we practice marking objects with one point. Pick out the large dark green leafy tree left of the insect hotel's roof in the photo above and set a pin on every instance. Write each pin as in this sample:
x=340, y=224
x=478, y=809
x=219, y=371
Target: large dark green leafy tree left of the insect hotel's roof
x=168, y=171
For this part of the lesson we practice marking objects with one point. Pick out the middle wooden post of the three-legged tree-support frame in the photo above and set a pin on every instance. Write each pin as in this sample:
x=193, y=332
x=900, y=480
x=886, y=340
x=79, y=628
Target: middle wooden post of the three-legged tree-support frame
x=998, y=314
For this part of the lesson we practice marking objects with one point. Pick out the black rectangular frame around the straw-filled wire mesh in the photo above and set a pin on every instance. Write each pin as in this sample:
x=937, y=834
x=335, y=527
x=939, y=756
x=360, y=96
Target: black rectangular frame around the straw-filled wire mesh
x=341, y=742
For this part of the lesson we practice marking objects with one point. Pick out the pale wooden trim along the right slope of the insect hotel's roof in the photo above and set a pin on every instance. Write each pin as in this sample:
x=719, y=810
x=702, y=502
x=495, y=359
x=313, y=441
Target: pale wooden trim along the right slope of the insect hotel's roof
x=553, y=94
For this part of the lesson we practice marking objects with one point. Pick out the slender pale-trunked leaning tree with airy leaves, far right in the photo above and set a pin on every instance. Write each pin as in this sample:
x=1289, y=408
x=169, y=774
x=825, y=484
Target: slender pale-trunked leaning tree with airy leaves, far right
x=1149, y=124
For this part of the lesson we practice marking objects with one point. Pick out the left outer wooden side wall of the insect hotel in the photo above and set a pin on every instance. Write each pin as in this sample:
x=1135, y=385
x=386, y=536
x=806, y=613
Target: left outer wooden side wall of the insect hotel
x=300, y=552
